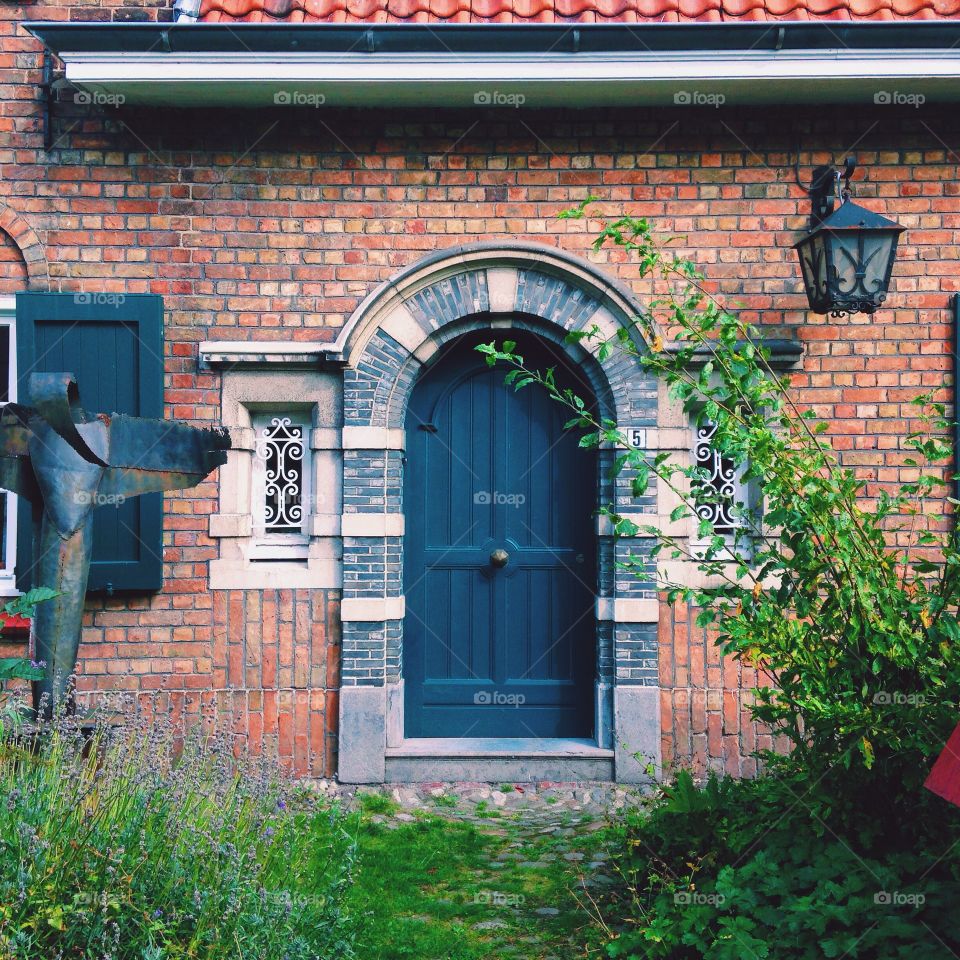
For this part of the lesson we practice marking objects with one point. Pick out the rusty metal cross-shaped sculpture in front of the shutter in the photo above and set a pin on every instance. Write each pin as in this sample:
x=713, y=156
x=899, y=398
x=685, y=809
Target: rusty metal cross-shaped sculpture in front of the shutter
x=67, y=462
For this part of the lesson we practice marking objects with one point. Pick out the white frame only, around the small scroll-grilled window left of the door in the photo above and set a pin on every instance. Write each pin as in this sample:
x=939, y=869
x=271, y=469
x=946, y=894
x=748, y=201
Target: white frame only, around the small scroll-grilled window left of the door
x=273, y=545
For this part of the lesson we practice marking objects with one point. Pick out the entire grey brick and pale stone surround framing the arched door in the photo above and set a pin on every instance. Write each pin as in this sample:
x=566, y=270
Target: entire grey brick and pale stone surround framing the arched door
x=394, y=333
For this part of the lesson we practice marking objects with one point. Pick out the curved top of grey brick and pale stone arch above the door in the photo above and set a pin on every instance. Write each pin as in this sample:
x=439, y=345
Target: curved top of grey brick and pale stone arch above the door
x=402, y=323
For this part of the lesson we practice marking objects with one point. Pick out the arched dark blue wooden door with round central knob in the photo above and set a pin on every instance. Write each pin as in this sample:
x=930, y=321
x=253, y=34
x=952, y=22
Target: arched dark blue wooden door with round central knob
x=499, y=637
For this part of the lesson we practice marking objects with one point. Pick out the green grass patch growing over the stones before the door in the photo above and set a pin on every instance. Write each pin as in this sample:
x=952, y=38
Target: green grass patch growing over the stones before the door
x=428, y=885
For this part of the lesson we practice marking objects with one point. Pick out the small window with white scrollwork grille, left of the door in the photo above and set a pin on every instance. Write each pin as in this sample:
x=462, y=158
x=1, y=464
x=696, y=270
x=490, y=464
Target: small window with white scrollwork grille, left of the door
x=281, y=487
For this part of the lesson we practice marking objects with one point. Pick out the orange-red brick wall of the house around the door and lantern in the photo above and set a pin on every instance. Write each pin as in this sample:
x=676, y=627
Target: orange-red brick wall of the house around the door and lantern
x=277, y=224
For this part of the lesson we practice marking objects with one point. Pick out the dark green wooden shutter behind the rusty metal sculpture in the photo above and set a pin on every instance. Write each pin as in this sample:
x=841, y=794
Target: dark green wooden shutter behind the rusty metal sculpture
x=113, y=345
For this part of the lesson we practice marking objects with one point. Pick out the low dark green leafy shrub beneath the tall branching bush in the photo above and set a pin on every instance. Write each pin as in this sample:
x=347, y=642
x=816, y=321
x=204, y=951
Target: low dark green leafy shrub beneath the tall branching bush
x=743, y=869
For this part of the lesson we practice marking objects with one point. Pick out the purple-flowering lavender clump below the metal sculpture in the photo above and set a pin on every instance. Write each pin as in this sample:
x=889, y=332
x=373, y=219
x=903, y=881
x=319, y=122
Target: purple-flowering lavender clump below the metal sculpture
x=131, y=845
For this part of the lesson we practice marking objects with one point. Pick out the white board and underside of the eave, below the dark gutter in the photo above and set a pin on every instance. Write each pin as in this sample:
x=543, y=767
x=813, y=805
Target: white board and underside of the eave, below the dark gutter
x=703, y=79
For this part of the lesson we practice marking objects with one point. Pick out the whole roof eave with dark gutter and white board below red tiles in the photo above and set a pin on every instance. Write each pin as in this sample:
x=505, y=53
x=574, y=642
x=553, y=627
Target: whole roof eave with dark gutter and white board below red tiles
x=519, y=65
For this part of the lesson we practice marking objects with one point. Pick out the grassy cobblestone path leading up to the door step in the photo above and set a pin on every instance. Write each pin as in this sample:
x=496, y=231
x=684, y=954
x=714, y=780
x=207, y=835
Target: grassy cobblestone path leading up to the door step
x=493, y=871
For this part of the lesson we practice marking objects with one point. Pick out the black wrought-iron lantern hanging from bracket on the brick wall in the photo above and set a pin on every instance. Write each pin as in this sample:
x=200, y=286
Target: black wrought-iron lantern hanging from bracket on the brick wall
x=847, y=257
